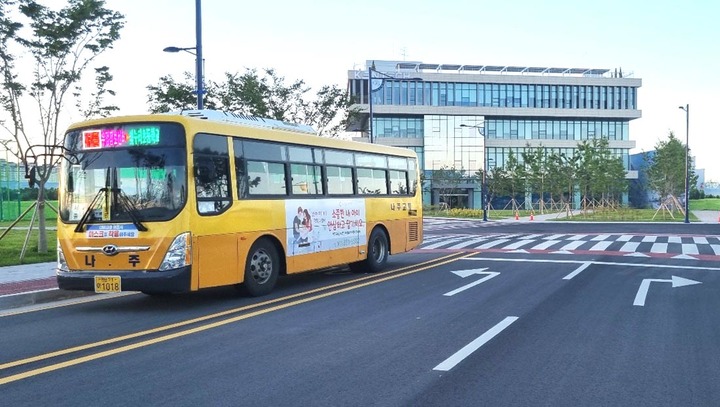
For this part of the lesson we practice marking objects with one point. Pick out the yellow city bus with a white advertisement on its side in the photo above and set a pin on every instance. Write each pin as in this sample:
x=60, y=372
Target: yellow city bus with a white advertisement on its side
x=172, y=203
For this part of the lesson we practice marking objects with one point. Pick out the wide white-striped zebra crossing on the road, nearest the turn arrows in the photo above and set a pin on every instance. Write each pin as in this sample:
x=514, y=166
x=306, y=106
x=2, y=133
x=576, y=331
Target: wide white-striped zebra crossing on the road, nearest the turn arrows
x=625, y=244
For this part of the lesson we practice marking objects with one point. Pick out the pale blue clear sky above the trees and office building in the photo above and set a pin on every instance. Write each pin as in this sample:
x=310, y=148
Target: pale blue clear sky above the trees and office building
x=671, y=45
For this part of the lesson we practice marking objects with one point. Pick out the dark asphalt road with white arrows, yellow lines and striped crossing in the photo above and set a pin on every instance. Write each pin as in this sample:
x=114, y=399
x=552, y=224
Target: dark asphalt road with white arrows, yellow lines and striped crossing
x=521, y=323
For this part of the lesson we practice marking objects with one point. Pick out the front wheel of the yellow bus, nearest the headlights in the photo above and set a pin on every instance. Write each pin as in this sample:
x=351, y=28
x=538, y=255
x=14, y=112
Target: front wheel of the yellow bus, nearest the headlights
x=262, y=268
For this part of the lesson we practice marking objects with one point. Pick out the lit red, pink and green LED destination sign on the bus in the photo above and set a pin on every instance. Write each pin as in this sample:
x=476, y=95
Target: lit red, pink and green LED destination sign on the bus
x=121, y=137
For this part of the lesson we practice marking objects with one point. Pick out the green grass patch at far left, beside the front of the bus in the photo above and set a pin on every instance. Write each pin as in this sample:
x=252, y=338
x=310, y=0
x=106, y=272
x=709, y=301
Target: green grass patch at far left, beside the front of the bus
x=12, y=244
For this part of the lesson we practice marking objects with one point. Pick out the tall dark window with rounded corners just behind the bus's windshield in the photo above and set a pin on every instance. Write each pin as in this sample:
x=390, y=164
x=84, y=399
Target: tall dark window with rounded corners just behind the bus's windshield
x=211, y=168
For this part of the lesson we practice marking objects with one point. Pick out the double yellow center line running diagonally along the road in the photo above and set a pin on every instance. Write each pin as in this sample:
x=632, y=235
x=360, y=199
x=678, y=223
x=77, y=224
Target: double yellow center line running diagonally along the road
x=413, y=269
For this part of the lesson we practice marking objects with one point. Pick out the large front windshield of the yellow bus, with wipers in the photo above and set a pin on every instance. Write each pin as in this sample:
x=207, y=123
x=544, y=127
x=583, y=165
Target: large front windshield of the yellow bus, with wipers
x=123, y=183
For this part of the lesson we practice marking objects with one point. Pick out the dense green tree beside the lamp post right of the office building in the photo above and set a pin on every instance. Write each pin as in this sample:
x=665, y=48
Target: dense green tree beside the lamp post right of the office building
x=666, y=168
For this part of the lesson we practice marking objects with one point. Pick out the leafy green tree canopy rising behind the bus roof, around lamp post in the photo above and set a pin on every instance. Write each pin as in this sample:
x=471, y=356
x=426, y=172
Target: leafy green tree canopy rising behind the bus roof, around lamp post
x=263, y=94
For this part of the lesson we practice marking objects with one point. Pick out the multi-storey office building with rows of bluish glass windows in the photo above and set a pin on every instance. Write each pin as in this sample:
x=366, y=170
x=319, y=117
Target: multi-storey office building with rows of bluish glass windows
x=471, y=117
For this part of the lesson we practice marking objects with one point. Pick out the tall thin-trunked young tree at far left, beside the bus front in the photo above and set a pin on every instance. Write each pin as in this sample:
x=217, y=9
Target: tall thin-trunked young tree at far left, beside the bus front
x=61, y=45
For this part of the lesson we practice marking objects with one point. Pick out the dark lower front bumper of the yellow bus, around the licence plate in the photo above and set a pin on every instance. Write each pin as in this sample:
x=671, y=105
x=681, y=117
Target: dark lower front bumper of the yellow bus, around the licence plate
x=170, y=281
